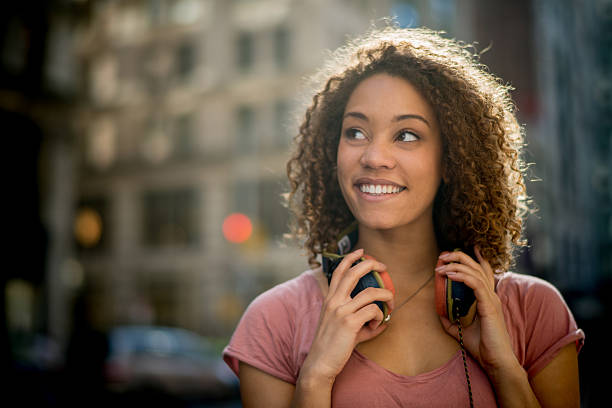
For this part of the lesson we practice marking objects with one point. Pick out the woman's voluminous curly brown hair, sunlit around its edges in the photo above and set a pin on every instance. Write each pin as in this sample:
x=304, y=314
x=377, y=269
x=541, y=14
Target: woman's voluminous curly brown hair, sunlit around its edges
x=482, y=199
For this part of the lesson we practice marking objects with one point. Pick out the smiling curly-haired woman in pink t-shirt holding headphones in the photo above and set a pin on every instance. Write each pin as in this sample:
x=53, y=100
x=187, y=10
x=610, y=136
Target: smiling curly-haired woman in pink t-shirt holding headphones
x=413, y=142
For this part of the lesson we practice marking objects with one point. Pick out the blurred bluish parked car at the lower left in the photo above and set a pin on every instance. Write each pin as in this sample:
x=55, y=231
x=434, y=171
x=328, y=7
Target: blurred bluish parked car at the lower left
x=152, y=362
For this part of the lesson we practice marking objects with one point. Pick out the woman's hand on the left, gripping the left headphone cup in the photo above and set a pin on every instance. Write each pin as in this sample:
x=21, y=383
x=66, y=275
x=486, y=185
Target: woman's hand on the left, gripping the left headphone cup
x=345, y=321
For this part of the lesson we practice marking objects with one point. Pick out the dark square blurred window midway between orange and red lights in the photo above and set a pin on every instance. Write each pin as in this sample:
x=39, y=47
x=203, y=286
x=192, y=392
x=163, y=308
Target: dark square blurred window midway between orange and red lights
x=170, y=218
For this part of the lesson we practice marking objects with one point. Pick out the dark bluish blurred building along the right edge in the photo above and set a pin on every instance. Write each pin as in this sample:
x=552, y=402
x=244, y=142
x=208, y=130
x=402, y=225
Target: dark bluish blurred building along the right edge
x=573, y=246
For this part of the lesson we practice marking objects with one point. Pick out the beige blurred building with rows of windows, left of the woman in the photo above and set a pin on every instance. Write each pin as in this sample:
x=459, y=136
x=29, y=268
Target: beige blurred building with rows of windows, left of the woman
x=187, y=118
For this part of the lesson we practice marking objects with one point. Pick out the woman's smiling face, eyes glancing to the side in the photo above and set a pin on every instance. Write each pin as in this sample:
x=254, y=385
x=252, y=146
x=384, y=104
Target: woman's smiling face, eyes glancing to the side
x=389, y=154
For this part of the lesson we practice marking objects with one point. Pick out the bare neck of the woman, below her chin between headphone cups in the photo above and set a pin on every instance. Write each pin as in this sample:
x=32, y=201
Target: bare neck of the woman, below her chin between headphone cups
x=409, y=253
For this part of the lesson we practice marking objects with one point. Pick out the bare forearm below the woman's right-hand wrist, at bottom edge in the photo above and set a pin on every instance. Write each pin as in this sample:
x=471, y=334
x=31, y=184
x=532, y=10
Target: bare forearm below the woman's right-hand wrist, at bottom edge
x=512, y=388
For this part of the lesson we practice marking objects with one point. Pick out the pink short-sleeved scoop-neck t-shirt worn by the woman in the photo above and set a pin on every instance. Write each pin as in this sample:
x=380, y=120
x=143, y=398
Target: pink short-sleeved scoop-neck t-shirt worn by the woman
x=277, y=330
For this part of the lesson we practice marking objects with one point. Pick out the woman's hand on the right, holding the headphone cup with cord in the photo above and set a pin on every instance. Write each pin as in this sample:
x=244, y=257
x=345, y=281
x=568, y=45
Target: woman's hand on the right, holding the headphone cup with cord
x=486, y=339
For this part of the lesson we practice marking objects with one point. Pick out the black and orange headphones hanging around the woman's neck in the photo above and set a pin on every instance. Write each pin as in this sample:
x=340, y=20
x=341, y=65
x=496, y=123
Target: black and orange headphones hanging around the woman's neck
x=454, y=300
